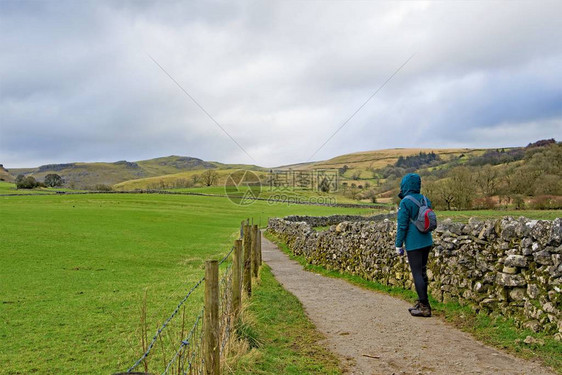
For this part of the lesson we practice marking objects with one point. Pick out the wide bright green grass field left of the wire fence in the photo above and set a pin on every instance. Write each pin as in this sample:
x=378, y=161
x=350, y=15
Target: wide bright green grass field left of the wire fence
x=75, y=270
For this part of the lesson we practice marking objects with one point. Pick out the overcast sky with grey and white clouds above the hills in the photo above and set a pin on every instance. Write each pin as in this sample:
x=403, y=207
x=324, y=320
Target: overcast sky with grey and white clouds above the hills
x=77, y=82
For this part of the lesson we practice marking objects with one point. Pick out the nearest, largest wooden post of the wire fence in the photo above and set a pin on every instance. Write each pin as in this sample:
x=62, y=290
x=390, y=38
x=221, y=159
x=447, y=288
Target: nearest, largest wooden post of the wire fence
x=211, y=337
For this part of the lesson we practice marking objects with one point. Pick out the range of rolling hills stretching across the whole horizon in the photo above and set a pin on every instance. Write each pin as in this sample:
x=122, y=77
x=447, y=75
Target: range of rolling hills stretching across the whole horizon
x=495, y=176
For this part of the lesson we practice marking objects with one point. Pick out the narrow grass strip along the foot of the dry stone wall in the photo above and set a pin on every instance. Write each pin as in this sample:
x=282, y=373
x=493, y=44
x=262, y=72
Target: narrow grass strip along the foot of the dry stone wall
x=496, y=331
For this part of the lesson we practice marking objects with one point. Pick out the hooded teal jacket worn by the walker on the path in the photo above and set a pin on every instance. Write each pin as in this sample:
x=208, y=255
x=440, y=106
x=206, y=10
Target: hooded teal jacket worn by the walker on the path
x=406, y=231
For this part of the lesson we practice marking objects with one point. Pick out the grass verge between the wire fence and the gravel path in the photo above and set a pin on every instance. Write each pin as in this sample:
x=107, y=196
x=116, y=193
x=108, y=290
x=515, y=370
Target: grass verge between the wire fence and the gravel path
x=287, y=341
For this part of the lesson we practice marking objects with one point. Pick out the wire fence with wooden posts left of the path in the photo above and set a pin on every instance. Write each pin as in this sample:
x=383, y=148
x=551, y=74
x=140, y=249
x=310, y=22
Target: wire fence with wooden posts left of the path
x=183, y=343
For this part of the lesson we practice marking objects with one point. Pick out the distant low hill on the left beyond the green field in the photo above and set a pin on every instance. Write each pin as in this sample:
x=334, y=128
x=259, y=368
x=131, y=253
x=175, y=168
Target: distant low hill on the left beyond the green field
x=82, y=175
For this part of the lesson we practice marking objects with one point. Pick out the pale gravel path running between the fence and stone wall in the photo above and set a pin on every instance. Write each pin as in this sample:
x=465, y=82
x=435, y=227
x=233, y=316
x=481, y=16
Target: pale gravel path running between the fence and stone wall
x=374, y=333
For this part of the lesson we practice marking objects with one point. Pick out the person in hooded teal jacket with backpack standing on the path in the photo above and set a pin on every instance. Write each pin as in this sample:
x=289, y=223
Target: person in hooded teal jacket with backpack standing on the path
x=417, y=244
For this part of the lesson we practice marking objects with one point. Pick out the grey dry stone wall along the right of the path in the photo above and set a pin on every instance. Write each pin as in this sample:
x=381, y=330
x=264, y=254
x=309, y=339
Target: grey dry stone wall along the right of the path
x=510, y=266
